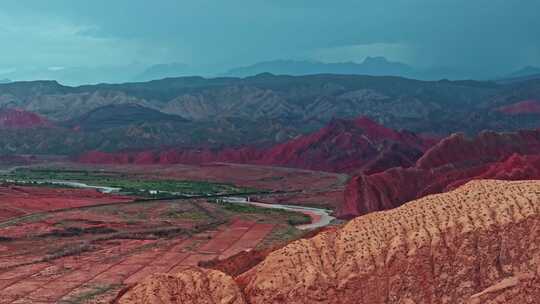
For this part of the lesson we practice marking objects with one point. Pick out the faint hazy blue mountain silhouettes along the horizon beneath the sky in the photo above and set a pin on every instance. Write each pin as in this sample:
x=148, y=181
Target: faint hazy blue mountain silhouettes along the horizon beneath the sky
x=373, y=66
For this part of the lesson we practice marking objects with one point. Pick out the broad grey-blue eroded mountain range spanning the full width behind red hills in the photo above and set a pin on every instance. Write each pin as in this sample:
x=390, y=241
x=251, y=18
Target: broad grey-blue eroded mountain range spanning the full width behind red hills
x=260, y=110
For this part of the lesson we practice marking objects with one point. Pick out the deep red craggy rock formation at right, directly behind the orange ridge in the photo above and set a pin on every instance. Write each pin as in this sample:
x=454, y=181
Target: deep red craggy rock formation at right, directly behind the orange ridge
x=452, y=162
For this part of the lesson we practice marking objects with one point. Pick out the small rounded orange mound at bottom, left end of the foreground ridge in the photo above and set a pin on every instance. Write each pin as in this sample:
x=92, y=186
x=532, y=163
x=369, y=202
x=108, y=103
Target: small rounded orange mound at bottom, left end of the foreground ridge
x=193, y=285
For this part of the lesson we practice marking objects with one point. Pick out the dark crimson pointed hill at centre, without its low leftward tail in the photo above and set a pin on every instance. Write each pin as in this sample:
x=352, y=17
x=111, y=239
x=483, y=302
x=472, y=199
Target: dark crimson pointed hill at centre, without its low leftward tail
x=359, y=145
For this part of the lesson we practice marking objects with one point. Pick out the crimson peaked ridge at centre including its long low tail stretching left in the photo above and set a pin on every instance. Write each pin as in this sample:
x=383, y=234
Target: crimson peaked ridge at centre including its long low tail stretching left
x=359, y=145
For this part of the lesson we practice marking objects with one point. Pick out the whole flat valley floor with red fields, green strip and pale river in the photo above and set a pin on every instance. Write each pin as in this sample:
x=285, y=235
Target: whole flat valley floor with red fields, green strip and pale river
x=88, y=242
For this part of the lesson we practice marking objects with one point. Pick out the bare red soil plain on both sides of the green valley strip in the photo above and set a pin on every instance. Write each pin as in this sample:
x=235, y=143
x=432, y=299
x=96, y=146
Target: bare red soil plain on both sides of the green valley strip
x=82, y=246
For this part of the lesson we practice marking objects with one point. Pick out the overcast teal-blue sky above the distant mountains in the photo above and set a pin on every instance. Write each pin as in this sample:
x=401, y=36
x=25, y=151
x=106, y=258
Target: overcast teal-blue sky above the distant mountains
x=485, y=36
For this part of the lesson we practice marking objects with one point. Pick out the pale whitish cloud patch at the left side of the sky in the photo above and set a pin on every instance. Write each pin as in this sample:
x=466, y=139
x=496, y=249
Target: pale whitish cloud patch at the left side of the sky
x=34, y=40
